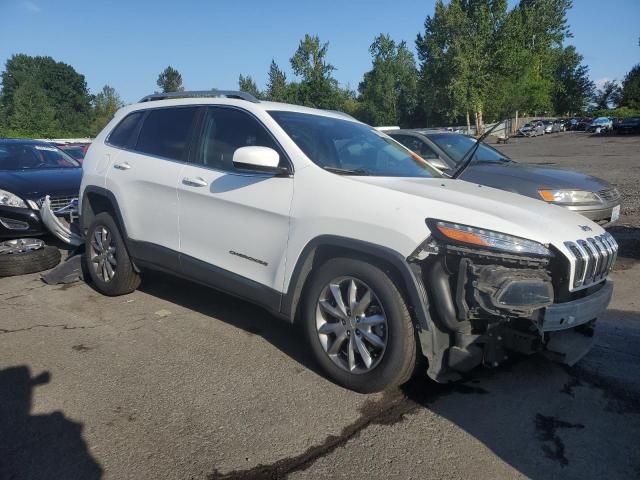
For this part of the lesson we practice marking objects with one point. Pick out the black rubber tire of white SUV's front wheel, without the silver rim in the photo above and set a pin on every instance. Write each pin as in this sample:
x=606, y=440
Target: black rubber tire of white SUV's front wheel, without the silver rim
x=398, y=361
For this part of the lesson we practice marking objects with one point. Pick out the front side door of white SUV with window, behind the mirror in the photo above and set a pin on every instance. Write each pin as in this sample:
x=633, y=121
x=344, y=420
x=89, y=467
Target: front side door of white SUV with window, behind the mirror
x=232, y=220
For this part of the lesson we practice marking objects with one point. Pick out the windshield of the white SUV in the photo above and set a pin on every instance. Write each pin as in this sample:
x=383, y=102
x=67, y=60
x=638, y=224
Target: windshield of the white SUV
x=350, y=148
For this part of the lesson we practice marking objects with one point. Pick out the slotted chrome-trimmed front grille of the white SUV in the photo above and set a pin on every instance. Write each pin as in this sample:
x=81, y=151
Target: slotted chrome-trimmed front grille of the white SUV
x=593, y=258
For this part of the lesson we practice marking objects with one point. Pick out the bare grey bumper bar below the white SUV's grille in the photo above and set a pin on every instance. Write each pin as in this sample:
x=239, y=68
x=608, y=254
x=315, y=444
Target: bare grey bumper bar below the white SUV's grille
x=562, y=316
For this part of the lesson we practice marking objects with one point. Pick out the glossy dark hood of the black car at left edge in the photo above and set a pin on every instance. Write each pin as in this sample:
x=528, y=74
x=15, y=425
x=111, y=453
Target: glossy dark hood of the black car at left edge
x=35, y=184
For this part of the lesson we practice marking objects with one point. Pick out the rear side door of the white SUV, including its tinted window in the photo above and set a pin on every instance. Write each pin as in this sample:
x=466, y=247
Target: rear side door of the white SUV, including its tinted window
x=144, y=175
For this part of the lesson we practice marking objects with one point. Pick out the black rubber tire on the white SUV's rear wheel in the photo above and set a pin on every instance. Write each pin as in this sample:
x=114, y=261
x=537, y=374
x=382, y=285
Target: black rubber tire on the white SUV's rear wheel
x=124, y=277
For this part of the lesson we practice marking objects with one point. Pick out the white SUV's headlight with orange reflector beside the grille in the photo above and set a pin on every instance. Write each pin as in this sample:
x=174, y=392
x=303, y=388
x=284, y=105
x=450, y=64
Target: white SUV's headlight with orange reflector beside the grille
x=478, y=237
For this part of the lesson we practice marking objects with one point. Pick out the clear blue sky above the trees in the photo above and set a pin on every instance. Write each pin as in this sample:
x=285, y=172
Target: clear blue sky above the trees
x=126, y=44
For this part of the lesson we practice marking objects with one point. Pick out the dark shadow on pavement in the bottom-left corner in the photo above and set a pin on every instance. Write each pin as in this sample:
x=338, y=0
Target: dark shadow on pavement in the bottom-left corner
x=38, y=446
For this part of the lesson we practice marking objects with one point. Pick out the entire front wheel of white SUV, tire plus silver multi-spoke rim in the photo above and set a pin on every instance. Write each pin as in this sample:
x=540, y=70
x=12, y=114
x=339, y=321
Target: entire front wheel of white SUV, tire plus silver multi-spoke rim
x=358, y=326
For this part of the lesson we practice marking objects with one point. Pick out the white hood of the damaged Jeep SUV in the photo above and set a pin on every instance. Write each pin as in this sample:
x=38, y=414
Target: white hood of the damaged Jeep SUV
x=484, y=207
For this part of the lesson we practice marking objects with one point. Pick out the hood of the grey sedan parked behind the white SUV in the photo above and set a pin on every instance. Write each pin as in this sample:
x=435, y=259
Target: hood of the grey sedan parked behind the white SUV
x=527, y=179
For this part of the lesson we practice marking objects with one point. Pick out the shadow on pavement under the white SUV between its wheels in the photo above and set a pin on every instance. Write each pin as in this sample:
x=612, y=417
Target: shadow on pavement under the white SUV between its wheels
x=232, y=311
